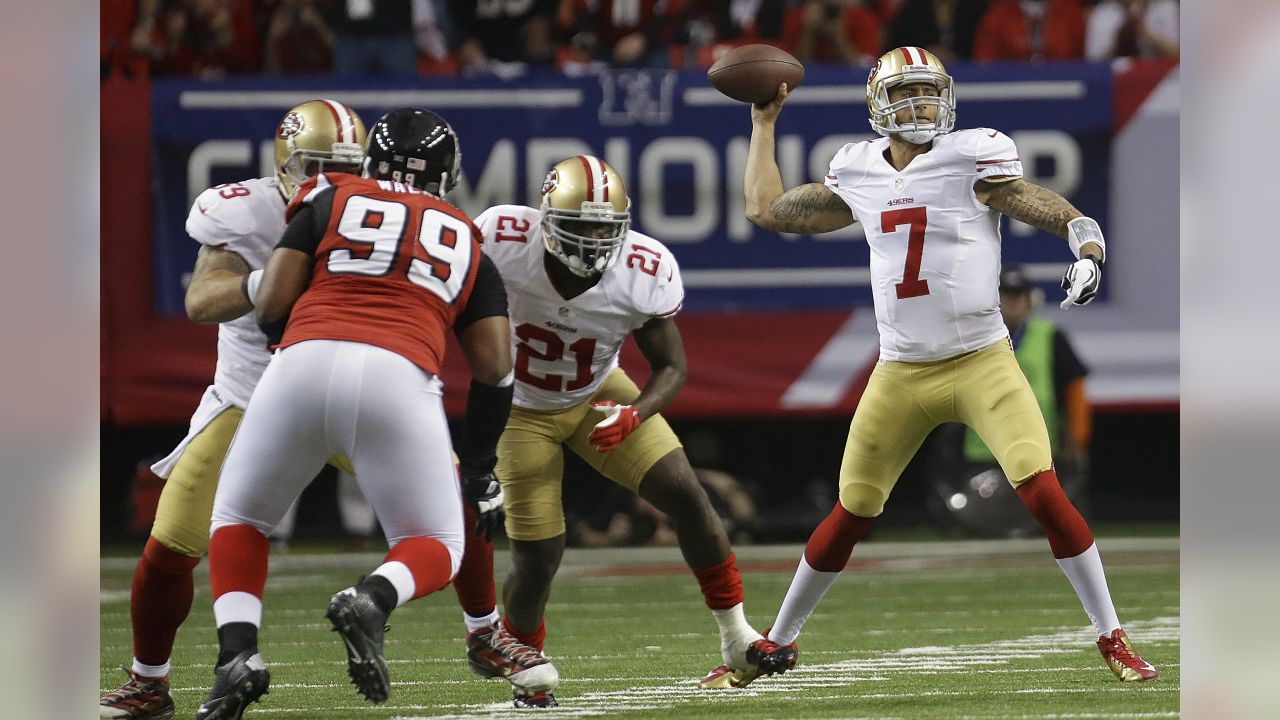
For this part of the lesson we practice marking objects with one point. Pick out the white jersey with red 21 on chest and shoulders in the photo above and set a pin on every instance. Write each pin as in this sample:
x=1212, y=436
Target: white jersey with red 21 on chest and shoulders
x=565, y=349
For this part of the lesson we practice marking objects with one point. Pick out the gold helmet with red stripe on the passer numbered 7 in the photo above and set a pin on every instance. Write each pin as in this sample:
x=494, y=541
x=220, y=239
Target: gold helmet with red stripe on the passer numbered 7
x=906, y=66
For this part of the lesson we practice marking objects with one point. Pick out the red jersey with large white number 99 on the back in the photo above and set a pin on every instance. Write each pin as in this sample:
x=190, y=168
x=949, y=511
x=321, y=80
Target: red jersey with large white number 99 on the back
x=394, y=266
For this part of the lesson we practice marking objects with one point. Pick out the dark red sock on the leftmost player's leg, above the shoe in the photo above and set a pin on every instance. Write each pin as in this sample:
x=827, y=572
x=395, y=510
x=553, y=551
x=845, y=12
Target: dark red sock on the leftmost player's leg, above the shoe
x=161, y=601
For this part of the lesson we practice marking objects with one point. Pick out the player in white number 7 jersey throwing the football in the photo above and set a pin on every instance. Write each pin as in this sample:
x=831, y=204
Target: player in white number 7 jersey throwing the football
x=930, y=200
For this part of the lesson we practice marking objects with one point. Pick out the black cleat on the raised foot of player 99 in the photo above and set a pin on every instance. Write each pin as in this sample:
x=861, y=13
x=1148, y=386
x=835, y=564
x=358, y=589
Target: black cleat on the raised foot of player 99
x=358, y=619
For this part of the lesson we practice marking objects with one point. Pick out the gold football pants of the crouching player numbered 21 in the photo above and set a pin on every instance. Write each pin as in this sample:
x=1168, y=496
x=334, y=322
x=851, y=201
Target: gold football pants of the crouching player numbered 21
x=532, y=462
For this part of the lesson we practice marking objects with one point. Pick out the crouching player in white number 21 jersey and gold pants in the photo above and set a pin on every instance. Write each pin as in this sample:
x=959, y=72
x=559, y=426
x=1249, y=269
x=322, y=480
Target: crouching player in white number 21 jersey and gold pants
x=579, y=281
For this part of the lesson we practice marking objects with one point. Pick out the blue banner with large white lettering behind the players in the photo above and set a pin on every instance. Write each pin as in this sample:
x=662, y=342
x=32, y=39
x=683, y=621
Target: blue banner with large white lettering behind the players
x=679, y=144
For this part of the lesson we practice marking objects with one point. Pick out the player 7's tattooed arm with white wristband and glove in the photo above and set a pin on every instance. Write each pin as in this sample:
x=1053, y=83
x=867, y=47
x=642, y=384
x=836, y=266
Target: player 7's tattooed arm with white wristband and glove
x=1048, y=211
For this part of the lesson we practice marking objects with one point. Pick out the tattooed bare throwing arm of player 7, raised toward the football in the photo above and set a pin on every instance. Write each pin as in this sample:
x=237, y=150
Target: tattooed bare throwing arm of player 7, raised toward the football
x=806, y=209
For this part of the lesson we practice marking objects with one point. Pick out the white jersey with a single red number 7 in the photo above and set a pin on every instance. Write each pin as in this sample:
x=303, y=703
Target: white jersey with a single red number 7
x=935, y=249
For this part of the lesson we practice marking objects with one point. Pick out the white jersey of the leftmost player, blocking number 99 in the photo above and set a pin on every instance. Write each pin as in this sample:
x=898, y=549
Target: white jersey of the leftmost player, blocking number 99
x=246, y=218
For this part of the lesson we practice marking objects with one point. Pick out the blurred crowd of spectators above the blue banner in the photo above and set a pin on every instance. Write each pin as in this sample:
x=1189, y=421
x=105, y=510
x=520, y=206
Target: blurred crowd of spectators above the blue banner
x=213, y=39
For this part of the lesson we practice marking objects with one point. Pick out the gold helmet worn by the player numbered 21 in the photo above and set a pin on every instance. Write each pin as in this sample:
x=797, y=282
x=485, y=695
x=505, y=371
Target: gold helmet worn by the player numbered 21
x=586, y=215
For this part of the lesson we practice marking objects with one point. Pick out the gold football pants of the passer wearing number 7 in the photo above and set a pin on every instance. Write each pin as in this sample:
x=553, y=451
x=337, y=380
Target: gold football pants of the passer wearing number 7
x=904, y=402
